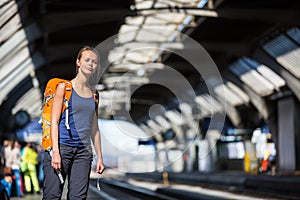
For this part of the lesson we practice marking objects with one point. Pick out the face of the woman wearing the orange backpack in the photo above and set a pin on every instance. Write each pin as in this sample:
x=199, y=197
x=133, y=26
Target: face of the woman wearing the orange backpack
x=88, y=62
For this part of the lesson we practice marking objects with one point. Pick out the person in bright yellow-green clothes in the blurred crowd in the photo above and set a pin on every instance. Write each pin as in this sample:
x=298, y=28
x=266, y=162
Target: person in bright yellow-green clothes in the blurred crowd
x=29, y=159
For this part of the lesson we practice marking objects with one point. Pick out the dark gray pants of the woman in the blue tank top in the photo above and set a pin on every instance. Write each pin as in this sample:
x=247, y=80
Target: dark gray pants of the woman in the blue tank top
x=76, y=164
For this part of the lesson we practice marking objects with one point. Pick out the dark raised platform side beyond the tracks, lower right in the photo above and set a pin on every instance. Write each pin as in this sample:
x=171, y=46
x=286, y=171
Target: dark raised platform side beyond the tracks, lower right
x=277, y=186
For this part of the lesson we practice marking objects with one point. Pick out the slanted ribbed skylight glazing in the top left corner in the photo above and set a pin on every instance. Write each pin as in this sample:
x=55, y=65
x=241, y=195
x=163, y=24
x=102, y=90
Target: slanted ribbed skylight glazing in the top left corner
x=15, y=59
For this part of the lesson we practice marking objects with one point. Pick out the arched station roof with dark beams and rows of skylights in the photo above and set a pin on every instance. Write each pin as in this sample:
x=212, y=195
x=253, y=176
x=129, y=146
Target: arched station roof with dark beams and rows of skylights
x=253, y=44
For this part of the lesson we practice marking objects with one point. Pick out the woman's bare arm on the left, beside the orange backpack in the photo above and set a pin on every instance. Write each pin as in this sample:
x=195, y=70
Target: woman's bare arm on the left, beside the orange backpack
x=57, y=105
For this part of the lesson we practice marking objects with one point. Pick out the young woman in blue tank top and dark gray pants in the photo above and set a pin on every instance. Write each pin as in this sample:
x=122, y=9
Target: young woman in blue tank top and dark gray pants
x=71, y=149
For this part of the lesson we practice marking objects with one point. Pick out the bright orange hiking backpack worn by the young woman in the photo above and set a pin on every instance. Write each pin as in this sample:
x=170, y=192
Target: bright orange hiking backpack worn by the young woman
x=49, y=93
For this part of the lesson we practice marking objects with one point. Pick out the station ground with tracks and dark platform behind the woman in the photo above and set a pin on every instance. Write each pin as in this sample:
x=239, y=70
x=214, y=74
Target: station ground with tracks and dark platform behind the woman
x=194, y=185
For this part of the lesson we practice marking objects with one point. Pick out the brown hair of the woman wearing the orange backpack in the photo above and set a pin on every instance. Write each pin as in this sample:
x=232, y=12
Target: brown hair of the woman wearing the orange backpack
x=95, y=78
